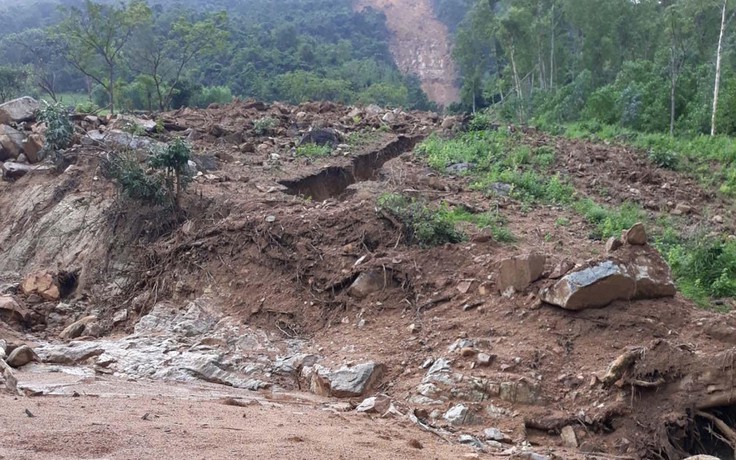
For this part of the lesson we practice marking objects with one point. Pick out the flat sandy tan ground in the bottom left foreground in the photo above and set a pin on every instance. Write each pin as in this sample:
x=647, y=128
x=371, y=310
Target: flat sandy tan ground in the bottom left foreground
x=117, y=419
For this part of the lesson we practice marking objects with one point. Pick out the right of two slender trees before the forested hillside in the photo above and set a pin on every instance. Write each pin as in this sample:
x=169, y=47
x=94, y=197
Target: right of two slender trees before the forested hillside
x=163, y=53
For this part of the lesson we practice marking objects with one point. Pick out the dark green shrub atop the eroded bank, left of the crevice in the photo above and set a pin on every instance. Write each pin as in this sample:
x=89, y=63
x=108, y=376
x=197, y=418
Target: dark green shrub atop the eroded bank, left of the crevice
x=161, y=183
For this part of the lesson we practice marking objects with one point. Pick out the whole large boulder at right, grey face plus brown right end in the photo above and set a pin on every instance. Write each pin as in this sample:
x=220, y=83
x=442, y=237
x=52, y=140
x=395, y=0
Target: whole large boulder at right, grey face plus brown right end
x=636, y=272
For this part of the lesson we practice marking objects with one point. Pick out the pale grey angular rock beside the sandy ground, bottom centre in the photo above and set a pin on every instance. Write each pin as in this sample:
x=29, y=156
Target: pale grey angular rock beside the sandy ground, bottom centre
x=346, y=382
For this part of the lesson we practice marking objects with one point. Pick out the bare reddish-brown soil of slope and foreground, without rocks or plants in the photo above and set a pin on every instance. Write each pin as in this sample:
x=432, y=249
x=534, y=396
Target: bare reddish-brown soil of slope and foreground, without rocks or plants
x=254, y=238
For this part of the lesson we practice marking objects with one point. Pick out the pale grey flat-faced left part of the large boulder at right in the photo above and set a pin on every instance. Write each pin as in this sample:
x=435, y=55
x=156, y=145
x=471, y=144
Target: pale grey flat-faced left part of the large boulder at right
x=592, y=287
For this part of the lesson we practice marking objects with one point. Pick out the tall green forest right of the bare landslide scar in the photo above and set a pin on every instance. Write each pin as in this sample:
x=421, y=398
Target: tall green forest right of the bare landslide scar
x=646, y=65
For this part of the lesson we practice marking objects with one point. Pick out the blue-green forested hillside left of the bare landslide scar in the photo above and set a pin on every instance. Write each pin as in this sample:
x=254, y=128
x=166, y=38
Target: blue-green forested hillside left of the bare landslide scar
x=164, y=54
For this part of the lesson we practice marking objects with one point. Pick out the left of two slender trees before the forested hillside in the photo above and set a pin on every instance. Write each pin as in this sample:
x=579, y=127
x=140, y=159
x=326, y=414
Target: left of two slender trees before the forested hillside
x=95, y=37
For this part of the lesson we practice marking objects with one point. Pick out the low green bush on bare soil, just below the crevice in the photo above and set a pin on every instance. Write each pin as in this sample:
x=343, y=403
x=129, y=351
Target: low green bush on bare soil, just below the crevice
x=422, y=225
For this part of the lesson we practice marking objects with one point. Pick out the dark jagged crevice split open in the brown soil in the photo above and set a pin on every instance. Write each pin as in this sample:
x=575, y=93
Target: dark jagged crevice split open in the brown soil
x=332, y=181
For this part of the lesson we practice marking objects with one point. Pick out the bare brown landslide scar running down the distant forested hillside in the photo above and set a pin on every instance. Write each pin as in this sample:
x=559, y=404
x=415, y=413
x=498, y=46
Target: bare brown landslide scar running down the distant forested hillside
x=420, y=45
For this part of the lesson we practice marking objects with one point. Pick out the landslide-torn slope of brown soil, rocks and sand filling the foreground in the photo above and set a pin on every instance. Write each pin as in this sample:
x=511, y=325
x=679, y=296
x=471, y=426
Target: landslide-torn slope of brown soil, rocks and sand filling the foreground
x=297, y=294
